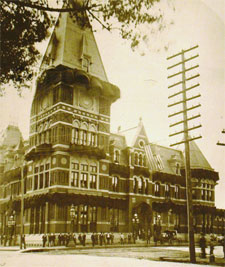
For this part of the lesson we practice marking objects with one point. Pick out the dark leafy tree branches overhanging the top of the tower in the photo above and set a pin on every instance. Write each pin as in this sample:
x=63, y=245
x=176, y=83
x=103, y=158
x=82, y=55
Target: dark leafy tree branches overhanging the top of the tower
x=26, y=22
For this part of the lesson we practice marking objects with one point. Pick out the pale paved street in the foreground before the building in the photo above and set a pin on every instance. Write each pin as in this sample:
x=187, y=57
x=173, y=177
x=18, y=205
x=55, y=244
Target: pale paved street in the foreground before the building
x=110, y=257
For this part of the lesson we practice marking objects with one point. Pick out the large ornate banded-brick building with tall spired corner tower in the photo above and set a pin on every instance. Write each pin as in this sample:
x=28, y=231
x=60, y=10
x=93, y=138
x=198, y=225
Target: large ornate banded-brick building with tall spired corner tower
x=78, y=176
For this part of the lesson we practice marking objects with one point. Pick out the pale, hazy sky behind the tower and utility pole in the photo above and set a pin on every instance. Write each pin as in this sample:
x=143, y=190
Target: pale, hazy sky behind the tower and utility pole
x=143, y=80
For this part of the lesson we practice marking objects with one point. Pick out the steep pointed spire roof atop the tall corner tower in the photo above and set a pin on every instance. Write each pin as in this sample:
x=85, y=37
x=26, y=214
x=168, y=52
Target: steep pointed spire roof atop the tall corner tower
x=70, y=44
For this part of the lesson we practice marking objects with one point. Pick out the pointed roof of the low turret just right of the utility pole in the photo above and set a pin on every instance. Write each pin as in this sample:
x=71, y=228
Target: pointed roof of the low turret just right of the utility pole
x=198, y=160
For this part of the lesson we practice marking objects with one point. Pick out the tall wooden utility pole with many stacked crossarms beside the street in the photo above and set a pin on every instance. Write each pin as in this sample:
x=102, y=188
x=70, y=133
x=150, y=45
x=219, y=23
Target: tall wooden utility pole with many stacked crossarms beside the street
x=186, y=118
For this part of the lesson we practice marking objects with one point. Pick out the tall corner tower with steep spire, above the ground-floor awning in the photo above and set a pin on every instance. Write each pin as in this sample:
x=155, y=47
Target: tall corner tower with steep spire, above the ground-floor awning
x=70, y=116
